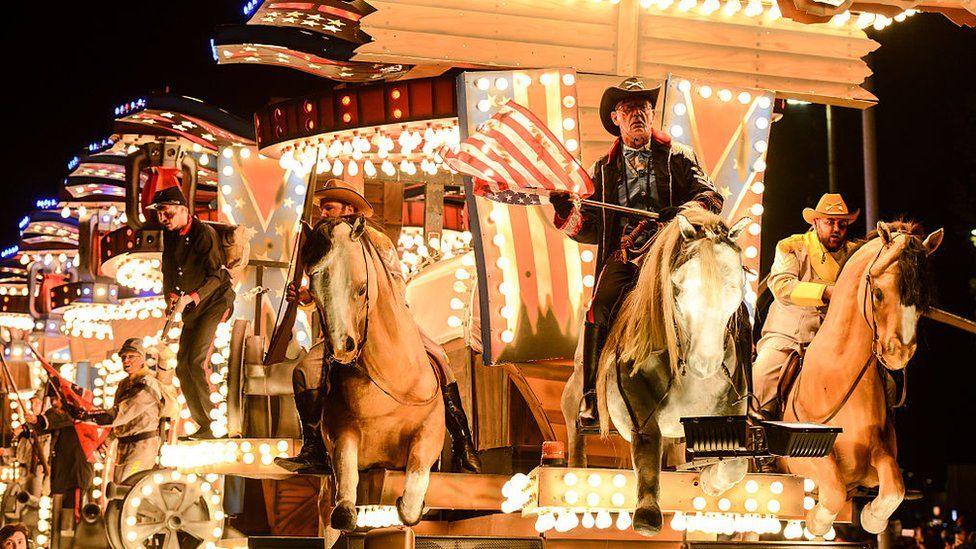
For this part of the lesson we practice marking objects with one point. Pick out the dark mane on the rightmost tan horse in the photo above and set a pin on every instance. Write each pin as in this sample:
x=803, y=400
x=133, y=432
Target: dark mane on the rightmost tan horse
x=915, y=284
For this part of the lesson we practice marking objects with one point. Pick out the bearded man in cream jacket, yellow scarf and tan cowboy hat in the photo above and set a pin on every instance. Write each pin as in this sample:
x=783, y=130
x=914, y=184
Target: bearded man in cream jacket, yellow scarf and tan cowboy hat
x=801, y=279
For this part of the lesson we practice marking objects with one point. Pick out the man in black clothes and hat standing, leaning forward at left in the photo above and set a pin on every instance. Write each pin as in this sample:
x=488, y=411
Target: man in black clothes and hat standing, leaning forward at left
x=196, y=286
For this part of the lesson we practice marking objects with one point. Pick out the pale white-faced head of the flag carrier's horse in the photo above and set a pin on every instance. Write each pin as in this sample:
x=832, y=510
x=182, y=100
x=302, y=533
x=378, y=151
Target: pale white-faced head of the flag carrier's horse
x=708, y=285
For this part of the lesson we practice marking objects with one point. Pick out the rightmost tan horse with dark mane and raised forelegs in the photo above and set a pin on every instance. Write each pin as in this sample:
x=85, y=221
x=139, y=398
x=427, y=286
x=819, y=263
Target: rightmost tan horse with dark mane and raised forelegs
x=870, y=325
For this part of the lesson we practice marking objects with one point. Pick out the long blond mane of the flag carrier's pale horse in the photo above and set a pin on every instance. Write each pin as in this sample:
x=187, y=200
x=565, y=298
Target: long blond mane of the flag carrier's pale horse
x=646, y=324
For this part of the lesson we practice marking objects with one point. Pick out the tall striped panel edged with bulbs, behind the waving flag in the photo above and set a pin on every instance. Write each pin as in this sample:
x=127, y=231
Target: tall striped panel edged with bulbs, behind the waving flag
x=536, y=280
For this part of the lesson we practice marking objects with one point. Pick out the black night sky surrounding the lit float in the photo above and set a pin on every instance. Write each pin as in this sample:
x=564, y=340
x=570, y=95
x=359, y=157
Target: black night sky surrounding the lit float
x=83, y=58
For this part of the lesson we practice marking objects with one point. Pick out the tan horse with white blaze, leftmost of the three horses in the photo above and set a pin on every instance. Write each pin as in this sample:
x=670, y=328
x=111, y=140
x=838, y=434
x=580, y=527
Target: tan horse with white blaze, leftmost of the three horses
x=384, y=407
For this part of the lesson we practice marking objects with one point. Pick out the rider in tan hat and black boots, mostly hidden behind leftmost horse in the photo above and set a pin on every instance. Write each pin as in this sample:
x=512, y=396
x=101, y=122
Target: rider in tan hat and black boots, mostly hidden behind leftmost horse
x=339, y=199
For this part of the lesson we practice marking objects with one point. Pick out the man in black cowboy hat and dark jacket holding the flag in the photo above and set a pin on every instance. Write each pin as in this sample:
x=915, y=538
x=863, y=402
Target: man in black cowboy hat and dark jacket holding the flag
x=644, y=170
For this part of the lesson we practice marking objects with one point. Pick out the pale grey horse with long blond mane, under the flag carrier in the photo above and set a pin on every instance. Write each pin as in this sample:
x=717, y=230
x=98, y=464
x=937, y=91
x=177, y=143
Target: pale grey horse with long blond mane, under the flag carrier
x=670, y=354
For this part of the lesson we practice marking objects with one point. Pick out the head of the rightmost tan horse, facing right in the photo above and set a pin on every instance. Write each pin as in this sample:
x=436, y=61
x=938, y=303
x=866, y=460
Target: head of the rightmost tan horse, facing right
x=898, y=289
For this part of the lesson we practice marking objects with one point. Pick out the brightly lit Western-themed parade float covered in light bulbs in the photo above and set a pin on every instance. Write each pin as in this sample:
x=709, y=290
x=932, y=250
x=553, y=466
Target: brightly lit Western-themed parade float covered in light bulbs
x=492, y=281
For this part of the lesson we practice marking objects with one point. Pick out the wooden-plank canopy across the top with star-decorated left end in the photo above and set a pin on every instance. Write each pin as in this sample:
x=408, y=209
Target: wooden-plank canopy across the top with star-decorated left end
x=802, y=49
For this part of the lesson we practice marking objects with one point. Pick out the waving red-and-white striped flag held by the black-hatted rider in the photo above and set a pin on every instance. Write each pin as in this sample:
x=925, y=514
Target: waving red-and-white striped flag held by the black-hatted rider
x=513, y=153
